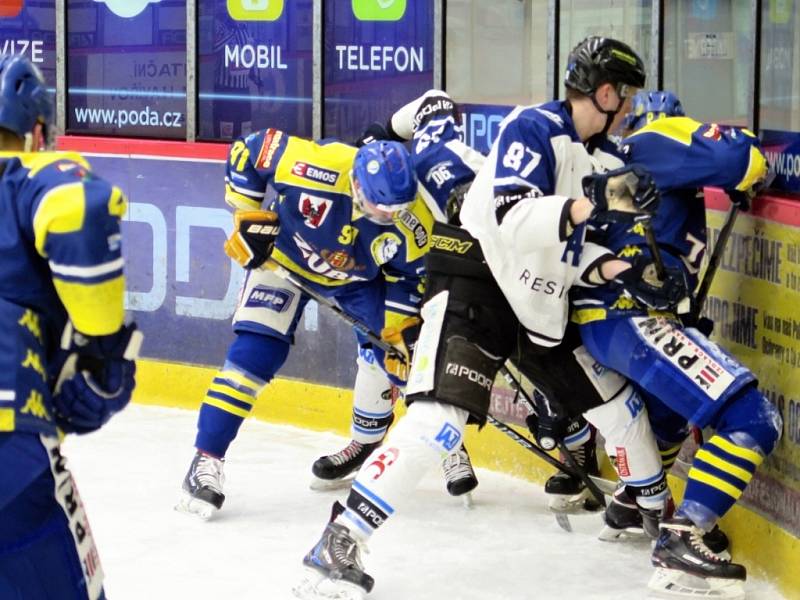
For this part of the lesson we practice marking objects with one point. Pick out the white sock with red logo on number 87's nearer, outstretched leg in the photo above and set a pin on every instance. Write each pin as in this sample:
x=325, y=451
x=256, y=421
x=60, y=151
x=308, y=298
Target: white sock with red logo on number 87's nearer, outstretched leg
x=427, y=433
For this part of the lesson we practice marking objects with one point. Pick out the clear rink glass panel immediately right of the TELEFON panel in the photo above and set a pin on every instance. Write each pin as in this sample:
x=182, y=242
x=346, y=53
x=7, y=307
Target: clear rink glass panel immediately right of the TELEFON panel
x=495, y=51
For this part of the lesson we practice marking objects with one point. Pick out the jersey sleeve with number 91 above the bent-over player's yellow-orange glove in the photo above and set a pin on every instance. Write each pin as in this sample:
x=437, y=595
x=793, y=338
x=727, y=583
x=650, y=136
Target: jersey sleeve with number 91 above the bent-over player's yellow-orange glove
x=251, y=165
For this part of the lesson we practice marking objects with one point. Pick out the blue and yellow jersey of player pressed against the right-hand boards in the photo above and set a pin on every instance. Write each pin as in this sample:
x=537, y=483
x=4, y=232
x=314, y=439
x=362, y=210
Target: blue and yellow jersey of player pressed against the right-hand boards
x=683, y=156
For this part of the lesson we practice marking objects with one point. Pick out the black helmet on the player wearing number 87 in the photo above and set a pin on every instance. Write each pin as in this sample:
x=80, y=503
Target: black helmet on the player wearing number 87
x=598, y=60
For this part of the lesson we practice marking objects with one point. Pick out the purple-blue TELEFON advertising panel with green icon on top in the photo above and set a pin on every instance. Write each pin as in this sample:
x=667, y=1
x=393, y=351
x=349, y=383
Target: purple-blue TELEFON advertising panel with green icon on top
x=378, y=55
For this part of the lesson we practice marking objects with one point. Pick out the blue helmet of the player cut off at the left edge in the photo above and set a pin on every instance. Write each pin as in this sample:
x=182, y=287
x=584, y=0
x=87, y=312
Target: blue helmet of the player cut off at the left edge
x=24, y=99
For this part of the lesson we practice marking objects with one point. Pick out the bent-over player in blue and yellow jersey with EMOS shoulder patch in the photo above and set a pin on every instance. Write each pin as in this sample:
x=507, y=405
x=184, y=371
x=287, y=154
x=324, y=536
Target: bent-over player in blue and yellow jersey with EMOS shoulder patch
x=348, y=223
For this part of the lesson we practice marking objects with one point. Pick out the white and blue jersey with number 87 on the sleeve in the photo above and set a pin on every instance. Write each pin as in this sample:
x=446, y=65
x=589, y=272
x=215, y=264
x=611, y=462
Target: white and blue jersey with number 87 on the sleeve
x=518, y=209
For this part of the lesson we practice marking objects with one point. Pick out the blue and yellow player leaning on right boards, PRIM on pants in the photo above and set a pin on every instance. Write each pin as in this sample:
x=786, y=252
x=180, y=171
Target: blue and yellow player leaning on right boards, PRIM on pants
x=686, y=380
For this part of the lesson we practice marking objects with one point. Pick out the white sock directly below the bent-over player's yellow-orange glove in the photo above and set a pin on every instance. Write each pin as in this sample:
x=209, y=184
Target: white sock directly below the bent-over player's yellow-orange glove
x=372, y=400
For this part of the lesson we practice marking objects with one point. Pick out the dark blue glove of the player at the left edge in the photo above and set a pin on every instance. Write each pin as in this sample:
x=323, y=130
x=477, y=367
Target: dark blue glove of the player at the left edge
x=86, y=401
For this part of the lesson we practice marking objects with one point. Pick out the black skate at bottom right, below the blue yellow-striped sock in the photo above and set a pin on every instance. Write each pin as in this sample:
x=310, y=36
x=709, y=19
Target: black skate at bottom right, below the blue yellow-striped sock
x=686, y=566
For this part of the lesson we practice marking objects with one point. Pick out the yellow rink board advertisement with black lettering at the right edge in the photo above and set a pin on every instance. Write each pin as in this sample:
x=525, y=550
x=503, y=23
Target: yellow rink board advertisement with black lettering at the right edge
x=754, y=303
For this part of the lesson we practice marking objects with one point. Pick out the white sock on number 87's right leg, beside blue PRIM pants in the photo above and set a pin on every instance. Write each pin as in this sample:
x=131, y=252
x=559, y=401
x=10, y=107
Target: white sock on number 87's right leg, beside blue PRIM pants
x=629, y=439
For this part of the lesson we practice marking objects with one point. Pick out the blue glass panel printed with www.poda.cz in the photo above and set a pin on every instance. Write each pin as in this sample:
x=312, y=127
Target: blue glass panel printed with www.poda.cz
x=126, y=70
